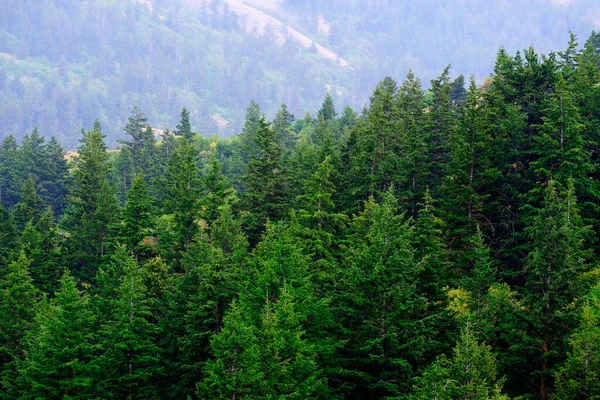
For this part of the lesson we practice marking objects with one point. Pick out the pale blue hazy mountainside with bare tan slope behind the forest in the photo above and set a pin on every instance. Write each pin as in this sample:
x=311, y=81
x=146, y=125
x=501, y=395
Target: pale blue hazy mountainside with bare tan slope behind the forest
x=65, y=63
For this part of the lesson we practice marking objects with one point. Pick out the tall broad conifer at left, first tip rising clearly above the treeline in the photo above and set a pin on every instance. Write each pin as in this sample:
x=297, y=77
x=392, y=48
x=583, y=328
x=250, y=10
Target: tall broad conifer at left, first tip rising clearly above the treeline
x=92, y=207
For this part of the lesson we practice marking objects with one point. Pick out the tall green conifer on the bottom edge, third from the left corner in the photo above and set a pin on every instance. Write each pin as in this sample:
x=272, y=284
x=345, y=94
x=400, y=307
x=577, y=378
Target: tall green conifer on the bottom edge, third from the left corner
x=128, y=366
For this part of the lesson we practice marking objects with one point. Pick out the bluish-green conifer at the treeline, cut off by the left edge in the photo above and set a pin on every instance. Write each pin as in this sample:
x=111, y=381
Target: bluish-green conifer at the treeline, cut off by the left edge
x=10, y=172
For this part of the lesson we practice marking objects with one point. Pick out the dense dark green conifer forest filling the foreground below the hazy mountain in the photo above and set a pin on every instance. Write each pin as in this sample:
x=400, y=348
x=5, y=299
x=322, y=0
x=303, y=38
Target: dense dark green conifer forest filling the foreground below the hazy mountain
x=441, y=244
